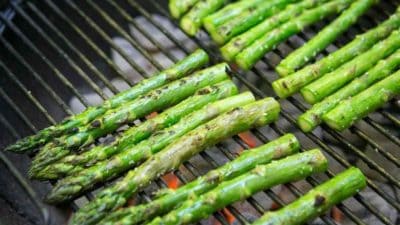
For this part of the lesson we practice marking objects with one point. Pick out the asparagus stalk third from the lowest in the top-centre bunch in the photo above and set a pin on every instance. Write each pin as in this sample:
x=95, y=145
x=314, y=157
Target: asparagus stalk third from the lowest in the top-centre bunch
x=247, y=19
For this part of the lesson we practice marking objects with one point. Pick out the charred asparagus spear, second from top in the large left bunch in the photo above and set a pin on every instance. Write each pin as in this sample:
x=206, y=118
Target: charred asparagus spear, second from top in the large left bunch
x=155, y=100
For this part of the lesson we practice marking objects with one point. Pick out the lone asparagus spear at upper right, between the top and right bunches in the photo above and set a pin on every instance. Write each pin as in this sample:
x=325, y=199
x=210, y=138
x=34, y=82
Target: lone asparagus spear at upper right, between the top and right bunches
x=301, y=56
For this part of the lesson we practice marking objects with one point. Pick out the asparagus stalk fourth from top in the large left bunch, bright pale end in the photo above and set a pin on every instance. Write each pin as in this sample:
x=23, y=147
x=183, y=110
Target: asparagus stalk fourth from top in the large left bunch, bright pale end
x=77, y=183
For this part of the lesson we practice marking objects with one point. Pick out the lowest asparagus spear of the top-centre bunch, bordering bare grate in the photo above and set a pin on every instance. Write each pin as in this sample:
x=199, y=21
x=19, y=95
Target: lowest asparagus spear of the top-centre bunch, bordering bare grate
x=250, y=55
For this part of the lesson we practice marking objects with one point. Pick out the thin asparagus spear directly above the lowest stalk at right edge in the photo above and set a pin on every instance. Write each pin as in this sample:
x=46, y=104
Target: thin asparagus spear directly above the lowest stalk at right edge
x=312, y=117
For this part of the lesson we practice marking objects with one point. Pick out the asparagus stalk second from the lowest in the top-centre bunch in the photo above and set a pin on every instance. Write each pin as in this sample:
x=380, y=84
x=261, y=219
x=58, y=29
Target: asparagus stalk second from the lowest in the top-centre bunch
x=240, y=42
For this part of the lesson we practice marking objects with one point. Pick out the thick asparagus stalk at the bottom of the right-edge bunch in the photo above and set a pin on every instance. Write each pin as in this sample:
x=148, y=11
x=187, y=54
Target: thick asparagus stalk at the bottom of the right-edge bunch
x=350, y=110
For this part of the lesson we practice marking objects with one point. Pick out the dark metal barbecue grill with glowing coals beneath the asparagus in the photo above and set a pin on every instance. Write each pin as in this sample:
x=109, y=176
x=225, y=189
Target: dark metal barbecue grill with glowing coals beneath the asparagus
x=57, y=57
